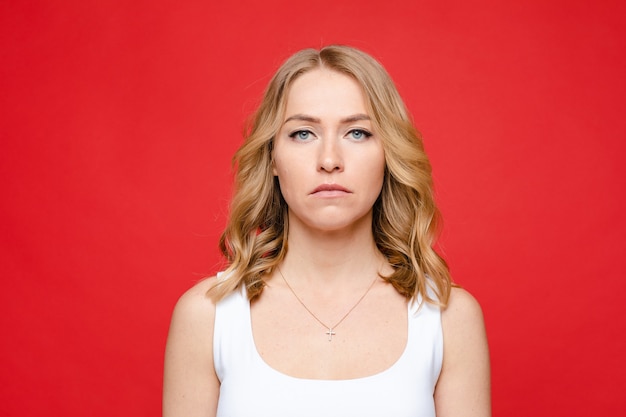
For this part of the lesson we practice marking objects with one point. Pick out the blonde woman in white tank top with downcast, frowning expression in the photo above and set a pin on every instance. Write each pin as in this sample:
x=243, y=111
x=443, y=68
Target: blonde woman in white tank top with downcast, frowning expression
x=334, y=302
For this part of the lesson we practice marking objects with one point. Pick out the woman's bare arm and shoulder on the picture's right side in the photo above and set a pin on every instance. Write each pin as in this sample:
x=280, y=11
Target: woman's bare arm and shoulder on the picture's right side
x=463, y=388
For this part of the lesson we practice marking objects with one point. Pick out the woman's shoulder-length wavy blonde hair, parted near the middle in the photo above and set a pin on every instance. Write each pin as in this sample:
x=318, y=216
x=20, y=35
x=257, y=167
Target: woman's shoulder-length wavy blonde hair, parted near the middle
x=405, y=218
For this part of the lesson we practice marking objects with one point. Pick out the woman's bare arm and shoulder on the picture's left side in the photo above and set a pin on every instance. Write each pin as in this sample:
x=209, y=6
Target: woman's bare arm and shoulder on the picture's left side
x=190, y=385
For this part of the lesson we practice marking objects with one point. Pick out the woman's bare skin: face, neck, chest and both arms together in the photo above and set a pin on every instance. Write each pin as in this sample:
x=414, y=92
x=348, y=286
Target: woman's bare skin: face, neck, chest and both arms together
x=330, y=166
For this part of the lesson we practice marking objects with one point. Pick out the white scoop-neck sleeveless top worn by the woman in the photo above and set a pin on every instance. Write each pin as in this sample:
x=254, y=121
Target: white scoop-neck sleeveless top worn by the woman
x=251, y=388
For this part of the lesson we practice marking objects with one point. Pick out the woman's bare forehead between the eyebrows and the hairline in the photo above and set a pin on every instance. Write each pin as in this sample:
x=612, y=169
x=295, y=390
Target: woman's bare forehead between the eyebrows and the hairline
x=325, y=92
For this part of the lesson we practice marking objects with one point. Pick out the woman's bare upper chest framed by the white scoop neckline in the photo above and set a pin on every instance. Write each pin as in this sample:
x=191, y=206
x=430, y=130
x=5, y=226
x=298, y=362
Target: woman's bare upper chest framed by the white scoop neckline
x=330, y=340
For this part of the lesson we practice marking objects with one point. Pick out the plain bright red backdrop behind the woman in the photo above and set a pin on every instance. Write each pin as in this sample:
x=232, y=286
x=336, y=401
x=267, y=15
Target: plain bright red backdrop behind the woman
x=119, y=120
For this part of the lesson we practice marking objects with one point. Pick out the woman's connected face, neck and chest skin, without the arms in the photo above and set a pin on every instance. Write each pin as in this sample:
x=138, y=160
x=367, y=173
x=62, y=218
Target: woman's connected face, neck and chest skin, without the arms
x=330, y=165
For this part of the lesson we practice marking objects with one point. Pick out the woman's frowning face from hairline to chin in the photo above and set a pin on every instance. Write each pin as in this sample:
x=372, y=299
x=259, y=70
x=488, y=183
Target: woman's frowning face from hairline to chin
x=329, y=162
